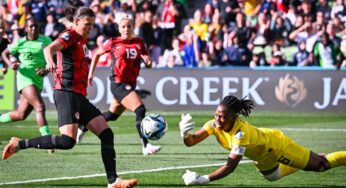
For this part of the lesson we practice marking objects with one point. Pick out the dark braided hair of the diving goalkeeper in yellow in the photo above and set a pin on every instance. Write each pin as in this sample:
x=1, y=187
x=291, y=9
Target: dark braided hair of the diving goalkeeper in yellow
x=238, y=106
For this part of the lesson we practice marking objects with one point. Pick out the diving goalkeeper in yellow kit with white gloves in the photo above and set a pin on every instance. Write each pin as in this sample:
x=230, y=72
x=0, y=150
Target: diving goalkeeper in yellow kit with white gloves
x=275, y=154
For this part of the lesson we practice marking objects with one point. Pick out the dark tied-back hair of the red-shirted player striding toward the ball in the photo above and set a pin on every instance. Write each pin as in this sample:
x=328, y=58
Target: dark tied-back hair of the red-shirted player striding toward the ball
x=72, y=12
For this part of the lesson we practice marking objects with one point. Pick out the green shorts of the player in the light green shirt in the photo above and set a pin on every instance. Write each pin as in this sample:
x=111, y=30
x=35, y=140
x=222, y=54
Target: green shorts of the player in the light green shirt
x=26, y=77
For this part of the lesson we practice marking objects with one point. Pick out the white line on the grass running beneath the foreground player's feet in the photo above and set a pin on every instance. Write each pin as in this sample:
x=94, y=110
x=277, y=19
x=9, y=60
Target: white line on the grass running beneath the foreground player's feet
x=120, y=173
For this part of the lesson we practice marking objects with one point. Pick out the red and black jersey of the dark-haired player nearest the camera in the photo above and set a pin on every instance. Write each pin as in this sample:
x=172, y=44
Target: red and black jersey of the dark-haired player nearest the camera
x=72, y=63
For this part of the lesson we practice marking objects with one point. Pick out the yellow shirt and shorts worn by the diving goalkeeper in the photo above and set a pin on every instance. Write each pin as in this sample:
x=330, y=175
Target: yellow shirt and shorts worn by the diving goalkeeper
x=262, y=144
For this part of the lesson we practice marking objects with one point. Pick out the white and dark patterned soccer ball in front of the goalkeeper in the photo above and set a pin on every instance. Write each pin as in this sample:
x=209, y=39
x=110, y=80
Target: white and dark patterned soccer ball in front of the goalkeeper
x=153, y=126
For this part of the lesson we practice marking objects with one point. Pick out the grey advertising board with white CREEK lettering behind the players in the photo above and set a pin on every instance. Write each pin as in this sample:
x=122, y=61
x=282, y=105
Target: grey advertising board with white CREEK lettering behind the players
x=181, y=89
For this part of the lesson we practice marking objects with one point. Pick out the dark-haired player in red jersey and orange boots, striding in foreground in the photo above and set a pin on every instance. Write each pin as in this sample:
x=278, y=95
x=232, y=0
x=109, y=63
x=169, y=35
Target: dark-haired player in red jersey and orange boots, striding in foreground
x=70, y=89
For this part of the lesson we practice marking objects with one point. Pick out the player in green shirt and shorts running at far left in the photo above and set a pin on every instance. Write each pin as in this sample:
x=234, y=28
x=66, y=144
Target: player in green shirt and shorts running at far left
x=30, y=72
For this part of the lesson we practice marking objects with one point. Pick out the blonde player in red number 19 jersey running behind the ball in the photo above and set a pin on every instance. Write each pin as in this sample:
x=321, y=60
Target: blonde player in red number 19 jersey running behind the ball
x=127, y=53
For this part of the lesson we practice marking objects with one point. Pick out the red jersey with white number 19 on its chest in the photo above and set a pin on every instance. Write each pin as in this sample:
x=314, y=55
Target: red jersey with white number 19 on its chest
x=126, y=55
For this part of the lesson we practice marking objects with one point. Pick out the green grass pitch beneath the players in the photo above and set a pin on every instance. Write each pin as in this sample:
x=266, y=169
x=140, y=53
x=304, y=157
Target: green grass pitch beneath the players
x=84, y=159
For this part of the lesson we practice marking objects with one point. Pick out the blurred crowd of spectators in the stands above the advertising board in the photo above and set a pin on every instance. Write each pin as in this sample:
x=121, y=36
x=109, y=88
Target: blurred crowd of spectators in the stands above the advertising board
x=248, y=33
